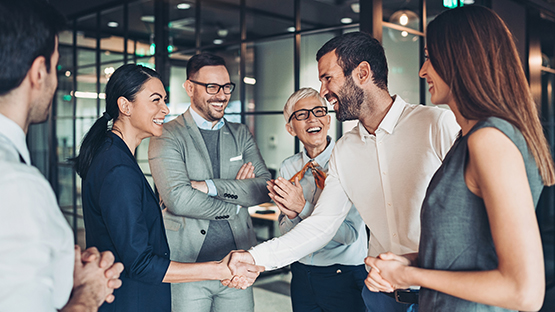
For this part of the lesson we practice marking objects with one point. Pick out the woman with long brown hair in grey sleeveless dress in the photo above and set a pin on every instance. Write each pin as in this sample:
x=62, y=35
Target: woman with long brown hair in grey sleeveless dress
x=480, y=246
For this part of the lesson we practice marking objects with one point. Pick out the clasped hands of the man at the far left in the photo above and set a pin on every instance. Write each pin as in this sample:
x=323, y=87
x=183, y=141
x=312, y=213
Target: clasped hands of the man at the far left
x=94, y=279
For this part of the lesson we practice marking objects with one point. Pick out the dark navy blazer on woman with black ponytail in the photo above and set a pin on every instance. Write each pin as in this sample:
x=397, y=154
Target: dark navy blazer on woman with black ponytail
x=122, y=215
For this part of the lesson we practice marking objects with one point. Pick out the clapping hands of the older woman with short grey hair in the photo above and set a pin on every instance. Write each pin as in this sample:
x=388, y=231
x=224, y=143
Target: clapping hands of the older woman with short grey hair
x=288, y=197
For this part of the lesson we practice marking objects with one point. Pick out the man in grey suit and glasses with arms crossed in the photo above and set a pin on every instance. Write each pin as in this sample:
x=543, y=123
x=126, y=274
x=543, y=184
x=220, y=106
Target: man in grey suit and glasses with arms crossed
x=208, y=171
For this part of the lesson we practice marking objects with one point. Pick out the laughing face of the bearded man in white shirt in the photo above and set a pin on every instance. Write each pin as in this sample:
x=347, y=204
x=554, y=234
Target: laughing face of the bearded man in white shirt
x=342, y=92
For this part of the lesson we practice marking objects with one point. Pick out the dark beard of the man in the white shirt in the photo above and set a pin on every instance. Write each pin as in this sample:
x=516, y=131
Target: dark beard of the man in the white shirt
x=350, y=100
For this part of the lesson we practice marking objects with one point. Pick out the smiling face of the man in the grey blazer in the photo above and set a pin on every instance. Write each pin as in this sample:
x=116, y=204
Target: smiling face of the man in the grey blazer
x=210, y=106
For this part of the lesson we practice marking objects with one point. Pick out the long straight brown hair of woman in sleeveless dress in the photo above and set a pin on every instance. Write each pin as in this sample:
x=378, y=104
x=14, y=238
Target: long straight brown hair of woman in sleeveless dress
x=473, y=51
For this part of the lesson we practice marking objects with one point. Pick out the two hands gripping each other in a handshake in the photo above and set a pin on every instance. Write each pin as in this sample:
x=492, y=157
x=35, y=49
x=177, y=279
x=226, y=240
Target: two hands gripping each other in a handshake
x=241, y=272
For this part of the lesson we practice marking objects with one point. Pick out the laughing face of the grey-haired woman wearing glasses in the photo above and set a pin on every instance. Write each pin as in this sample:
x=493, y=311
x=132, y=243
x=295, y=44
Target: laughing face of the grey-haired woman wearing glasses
x=313, y=131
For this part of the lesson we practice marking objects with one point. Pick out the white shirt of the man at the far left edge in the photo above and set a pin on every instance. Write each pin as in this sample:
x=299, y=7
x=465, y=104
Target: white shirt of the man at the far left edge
x=36, y=242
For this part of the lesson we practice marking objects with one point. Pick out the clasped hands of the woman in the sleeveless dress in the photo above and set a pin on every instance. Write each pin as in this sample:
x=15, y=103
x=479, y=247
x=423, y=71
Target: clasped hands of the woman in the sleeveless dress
x=388, y=272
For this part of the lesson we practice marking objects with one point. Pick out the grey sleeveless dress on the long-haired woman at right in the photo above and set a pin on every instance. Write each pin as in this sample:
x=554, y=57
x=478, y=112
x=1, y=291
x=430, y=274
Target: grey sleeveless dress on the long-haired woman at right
x=455, y=233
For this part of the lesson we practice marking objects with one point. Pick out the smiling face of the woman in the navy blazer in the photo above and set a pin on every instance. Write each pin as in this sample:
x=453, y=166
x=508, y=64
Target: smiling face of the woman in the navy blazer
x=149, y=109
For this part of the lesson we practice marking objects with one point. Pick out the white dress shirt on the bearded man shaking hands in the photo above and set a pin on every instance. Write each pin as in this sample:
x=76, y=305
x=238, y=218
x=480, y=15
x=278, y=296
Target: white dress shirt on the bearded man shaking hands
x=384, y=175
